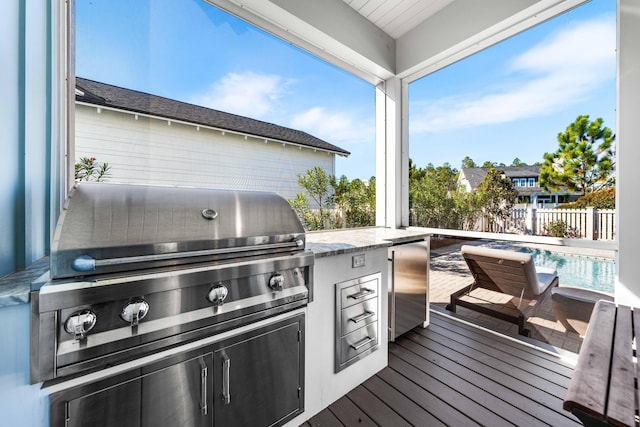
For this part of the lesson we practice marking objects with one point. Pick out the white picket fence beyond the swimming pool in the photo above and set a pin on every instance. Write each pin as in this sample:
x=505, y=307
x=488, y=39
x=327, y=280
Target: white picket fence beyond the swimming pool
x=589, y=223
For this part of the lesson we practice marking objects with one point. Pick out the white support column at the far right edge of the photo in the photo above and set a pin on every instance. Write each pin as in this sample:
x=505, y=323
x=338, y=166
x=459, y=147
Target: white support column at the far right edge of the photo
x=628, y=153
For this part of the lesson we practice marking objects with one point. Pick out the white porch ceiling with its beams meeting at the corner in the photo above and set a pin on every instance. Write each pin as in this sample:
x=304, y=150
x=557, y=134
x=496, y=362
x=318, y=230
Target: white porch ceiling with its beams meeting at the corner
x=380, y=39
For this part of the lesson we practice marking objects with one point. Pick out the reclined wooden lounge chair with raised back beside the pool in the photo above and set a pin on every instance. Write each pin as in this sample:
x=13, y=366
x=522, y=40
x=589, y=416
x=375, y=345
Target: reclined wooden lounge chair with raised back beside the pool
x=508, y=272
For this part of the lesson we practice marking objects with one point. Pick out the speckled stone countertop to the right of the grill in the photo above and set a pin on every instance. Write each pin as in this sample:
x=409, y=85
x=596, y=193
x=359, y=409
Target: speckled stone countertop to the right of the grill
x=334, y=242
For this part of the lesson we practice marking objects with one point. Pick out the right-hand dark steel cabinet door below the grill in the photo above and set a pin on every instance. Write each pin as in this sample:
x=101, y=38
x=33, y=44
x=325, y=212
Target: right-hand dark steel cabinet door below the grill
x=258, y=378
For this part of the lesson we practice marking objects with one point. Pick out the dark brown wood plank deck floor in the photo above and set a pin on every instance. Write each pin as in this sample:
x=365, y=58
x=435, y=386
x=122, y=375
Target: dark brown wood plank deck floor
x=455, y=374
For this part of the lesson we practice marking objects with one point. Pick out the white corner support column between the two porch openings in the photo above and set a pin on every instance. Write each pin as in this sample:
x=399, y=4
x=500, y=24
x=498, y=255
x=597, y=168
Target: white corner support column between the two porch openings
x=392, y=156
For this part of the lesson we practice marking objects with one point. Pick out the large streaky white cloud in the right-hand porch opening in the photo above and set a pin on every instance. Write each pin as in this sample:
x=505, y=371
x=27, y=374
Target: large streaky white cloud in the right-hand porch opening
x=557, y=72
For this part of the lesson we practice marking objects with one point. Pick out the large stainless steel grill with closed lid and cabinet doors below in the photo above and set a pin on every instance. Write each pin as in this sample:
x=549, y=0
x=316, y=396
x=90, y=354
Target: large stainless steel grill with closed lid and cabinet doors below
x=140, y=270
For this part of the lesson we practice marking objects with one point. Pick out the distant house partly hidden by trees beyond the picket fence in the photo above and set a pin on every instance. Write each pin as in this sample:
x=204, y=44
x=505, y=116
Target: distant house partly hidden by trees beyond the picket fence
x=525, y=179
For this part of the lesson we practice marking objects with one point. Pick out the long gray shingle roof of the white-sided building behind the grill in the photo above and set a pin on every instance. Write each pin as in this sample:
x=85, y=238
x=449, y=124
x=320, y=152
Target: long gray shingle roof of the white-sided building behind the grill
x=131, y=100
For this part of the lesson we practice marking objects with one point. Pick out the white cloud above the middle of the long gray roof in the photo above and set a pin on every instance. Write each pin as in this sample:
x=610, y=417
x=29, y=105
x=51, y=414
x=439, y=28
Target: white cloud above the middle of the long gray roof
x=249, y=94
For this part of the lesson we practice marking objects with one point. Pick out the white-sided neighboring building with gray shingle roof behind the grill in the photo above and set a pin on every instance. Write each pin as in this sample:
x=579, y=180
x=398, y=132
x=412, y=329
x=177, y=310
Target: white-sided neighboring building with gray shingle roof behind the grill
x=151, y=139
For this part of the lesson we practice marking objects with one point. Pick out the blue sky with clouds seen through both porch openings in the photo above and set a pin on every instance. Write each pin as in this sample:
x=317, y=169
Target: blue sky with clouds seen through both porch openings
x=508, y=101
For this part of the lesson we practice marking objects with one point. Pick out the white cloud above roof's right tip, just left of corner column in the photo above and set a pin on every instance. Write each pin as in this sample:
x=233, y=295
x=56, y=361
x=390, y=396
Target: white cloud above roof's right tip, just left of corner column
x=334, y=127
